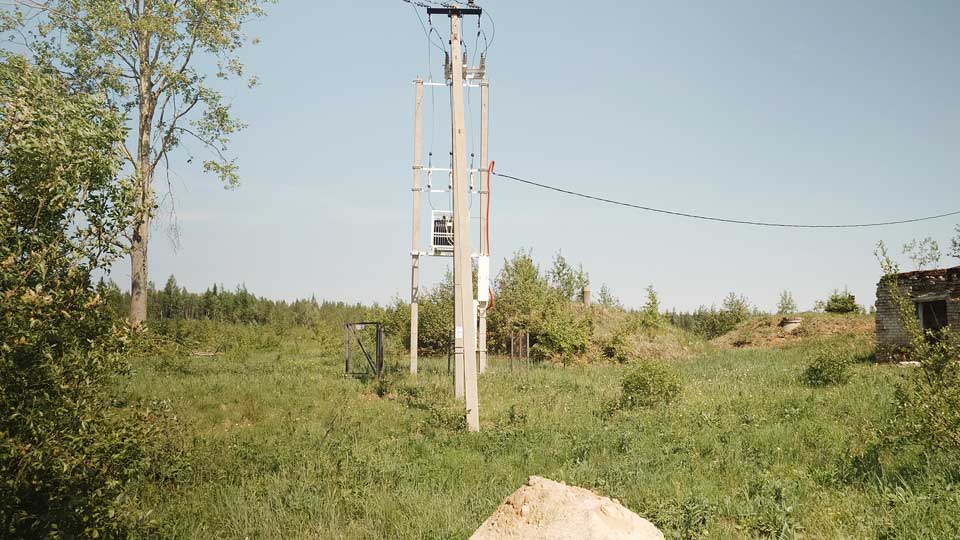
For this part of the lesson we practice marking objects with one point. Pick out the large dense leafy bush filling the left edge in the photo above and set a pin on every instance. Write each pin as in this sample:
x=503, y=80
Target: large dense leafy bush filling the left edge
x=67, y=455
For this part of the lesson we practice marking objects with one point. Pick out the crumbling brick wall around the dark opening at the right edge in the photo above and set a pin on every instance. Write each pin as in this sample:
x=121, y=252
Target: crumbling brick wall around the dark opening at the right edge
x=891, y=334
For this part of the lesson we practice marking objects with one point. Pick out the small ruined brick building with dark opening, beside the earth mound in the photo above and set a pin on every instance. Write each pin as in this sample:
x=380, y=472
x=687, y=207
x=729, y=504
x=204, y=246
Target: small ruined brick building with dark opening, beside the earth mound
x=936, y=295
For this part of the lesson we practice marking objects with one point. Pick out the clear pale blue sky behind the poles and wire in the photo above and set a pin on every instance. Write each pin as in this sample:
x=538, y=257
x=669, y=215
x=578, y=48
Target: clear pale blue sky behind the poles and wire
x=815, y=111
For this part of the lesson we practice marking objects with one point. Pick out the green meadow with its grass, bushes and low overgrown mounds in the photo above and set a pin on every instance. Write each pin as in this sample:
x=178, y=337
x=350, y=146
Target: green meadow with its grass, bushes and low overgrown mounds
x=748, y=436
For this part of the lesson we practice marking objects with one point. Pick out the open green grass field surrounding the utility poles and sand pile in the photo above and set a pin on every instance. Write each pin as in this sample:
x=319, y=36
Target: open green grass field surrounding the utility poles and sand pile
x=279, y=444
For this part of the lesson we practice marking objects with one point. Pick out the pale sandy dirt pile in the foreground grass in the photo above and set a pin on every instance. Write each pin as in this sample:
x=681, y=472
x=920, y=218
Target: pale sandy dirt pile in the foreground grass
x=548, y=510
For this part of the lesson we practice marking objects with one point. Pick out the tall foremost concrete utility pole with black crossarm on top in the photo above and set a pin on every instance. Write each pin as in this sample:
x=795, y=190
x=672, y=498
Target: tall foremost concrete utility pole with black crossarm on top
x=465, y=343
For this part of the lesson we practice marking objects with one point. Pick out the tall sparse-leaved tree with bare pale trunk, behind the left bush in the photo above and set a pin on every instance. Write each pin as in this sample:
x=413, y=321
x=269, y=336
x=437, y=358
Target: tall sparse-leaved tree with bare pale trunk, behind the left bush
x=143, y=56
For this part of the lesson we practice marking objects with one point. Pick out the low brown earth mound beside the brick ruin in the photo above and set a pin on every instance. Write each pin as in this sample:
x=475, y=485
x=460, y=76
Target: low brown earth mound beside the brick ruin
x=763, y=332
